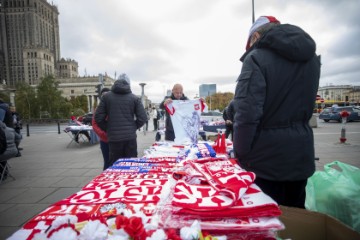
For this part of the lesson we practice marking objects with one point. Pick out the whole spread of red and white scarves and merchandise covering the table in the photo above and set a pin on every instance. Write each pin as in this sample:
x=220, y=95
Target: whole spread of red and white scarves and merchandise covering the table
x=172, y=192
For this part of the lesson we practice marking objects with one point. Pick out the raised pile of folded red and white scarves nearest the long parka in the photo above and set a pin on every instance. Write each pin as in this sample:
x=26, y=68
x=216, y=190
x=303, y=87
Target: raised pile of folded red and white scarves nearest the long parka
x=219, y=194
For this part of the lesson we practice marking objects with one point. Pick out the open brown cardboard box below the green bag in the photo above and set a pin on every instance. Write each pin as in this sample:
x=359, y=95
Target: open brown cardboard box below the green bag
x=303, y=224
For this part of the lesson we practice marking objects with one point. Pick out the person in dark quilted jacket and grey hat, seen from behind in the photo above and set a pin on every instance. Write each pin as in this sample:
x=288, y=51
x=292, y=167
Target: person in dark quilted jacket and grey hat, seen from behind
x=120, y=113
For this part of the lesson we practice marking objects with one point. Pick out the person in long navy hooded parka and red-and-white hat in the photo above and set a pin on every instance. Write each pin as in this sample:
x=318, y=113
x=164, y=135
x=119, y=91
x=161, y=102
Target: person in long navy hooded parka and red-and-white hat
x=274, y=99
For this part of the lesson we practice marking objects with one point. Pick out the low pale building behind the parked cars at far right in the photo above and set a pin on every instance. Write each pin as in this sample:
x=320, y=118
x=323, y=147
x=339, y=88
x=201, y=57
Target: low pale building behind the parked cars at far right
x=340, y=93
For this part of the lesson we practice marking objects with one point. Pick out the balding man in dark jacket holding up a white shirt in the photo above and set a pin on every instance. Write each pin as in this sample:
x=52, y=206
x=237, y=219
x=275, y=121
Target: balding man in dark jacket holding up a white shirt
x=176, y=94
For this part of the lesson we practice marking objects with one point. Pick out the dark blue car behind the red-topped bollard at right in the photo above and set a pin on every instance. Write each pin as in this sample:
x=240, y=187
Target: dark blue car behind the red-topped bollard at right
x=333, y=113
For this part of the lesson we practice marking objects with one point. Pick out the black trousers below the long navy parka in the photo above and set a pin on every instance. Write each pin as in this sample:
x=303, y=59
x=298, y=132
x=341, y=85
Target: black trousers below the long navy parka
x=290, y=193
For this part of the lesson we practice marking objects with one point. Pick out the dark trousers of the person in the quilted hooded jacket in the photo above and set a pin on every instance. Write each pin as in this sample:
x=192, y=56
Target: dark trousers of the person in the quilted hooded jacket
x=122, y=149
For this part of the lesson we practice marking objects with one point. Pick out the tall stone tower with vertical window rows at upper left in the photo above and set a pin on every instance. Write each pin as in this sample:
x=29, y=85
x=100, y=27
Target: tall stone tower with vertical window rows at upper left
x=29, y=41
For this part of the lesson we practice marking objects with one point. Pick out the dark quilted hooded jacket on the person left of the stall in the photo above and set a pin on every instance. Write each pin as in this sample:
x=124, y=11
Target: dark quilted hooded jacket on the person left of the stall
x=120, y=113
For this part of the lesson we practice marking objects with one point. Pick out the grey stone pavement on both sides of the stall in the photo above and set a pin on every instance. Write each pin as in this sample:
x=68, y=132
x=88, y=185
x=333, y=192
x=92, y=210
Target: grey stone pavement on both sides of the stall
x=48, y=171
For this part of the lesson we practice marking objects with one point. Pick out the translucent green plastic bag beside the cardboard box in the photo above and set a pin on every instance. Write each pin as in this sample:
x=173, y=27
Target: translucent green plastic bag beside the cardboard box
x=336, y=192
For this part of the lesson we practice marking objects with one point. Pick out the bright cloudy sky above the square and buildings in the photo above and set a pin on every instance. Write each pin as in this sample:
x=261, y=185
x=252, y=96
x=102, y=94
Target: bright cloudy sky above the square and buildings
x=163, y=42
